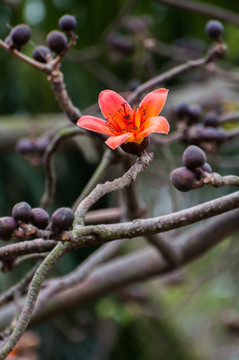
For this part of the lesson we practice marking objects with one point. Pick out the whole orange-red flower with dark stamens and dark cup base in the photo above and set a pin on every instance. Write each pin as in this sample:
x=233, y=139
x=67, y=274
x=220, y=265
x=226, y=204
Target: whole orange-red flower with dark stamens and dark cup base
x=127, y=125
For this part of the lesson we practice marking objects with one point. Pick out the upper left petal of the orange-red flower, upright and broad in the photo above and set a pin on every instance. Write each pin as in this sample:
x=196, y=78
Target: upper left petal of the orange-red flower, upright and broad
x=111, y=107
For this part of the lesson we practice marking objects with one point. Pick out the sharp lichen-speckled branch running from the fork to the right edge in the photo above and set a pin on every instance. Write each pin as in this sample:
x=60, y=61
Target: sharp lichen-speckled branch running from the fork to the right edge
x=103, y=233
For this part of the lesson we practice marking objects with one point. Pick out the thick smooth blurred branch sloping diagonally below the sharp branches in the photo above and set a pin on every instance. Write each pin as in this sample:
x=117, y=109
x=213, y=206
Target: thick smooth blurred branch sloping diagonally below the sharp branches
x=142, y=265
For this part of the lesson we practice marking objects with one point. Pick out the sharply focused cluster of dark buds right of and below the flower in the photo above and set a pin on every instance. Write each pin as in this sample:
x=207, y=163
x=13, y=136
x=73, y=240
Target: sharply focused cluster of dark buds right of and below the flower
x=195, y=167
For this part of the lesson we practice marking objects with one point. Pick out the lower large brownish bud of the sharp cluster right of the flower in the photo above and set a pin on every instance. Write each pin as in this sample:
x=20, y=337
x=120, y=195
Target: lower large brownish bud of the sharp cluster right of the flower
x=182, y=178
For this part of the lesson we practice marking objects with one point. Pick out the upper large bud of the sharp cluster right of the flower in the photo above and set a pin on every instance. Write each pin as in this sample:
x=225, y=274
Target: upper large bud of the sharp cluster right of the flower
x=194, y=157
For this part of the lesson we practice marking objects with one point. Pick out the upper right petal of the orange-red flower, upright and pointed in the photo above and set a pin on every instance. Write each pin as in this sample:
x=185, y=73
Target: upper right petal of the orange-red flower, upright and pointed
x=152, y=104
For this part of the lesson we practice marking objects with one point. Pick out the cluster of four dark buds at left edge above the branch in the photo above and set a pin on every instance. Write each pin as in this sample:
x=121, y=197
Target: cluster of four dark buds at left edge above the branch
x=22, y=213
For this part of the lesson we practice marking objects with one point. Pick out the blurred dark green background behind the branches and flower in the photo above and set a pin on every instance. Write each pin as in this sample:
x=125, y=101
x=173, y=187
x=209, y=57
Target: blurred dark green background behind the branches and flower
x=194, y=313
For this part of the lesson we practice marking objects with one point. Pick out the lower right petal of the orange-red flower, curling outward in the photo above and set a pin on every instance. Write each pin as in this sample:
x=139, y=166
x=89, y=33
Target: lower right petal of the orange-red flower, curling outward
x=154, y=124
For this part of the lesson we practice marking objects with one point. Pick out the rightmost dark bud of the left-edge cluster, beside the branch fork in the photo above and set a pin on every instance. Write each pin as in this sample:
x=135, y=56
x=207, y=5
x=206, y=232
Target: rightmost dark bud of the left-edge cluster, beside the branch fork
x=62, y=219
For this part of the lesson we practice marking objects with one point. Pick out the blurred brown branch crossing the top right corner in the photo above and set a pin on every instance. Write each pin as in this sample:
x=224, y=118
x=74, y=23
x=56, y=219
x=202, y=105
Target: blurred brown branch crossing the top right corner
x=205, y=9
